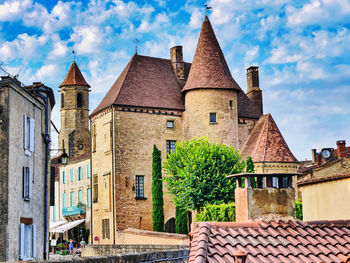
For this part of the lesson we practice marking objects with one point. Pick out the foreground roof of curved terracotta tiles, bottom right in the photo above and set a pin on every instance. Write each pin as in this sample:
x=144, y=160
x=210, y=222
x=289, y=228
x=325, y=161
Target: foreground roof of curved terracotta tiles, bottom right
x=292, y=241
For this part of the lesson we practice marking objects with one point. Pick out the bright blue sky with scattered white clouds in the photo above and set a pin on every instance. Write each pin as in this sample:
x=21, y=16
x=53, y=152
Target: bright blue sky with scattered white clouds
x=302, y=49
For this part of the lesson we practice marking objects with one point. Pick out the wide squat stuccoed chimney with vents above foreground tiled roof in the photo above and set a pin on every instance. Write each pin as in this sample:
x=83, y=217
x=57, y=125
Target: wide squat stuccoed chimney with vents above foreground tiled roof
x=272, y=199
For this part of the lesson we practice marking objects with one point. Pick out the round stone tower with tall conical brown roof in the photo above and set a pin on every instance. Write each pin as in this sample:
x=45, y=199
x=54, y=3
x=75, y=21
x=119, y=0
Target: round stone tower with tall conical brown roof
x=210, y=93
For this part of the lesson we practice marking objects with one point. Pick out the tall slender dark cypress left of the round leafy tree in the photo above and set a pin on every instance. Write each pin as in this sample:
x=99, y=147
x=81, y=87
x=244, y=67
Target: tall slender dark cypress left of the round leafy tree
x=157, y=191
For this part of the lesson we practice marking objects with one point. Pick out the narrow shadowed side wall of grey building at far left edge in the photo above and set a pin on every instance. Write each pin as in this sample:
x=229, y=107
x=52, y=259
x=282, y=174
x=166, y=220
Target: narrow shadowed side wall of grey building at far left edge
x=4, y=150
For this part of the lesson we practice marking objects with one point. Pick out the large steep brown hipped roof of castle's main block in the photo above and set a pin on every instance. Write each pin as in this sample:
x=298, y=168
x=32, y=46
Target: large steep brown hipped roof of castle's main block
x=146, y=82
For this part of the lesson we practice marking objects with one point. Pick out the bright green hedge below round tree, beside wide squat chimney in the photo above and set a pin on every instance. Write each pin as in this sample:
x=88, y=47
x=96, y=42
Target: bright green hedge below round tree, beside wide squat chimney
x=217, y=212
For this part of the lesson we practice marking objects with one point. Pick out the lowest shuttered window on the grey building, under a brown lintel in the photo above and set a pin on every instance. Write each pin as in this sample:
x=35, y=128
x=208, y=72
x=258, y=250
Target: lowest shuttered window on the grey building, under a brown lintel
x=27, y=242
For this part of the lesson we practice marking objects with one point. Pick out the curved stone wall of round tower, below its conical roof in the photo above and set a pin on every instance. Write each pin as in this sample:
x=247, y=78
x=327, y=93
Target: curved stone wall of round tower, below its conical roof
x=200, y=103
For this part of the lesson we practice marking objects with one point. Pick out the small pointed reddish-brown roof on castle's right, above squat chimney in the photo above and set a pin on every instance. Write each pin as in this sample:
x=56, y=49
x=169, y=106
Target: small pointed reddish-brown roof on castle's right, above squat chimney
x=266, y=143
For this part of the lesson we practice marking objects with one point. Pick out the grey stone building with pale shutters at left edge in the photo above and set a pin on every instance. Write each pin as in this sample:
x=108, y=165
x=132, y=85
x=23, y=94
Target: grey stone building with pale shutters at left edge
x=24, y=174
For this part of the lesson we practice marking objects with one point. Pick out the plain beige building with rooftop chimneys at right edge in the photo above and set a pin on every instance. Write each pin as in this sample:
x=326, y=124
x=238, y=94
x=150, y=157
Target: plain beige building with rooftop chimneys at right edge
x=324, y=184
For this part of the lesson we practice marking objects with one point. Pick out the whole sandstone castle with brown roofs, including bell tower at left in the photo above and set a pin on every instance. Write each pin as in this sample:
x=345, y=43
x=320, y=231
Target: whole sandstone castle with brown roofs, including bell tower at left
x=161, y=101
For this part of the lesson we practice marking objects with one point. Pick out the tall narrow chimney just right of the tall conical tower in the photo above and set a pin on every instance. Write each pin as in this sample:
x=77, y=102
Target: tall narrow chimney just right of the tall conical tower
x=254, y=92
